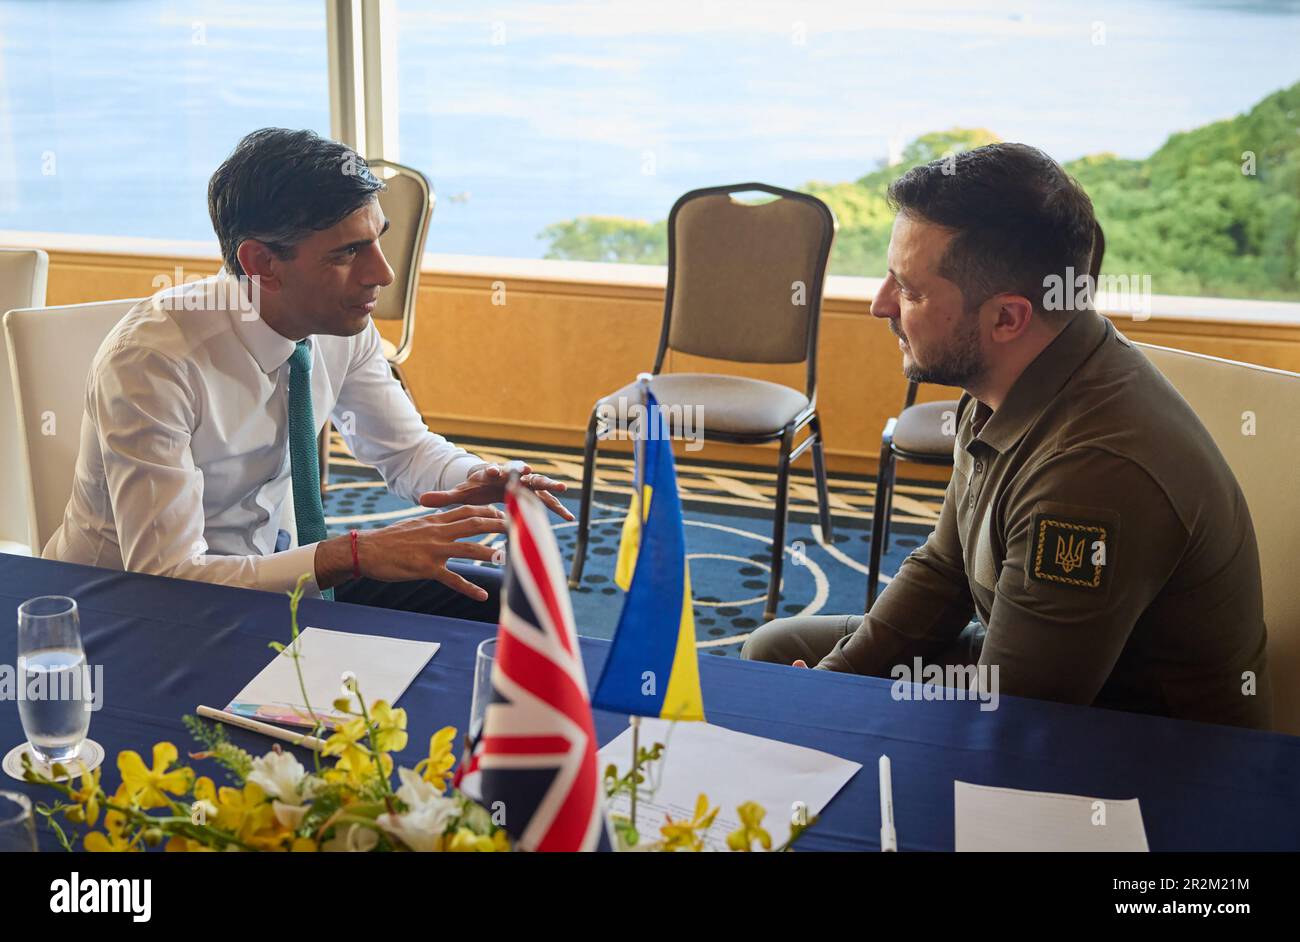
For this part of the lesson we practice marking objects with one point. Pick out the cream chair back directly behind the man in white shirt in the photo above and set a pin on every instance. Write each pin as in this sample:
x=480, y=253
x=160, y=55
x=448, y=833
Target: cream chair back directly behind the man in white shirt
x=50, y=357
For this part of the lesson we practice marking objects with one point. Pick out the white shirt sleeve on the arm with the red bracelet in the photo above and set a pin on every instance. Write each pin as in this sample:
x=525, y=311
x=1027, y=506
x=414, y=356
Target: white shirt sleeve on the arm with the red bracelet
x=145, y=411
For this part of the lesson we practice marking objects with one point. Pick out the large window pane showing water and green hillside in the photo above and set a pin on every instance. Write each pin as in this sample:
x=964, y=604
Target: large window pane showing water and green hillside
x=569, y=129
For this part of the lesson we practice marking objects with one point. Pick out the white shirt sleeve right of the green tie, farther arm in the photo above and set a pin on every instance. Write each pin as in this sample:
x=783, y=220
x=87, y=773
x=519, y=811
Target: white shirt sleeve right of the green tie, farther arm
x=383, y=428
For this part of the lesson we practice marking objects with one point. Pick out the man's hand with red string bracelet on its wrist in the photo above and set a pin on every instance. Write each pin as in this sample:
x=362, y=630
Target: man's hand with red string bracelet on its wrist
x=415, y=549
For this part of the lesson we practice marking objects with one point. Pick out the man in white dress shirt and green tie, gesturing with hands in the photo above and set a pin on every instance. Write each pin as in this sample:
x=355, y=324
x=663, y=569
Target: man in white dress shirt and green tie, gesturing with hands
x=187, y=454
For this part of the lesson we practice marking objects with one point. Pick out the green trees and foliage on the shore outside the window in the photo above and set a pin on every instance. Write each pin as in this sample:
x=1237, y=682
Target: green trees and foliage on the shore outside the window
x=1189, y=216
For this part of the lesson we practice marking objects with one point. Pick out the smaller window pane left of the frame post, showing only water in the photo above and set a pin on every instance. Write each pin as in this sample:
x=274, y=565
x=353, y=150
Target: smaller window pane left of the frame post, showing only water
x=114, y=116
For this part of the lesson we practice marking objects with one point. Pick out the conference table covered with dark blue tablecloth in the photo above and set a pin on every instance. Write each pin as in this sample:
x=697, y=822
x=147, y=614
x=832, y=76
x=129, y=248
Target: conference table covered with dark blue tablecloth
x=170, y=645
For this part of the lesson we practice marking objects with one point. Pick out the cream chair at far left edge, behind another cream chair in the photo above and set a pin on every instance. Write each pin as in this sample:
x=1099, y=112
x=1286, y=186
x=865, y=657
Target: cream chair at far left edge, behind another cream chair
x=23, y=285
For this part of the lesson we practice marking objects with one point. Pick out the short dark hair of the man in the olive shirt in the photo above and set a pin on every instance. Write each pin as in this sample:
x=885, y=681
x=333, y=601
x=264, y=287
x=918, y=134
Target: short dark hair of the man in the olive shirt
x=1019, y=219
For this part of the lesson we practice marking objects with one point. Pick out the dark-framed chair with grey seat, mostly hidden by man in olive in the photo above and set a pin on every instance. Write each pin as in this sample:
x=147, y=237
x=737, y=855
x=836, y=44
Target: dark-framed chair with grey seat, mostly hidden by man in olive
x=924, y=433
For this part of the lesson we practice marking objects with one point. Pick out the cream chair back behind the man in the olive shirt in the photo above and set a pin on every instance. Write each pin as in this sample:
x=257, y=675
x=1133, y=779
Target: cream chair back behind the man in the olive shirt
x=1251, y=414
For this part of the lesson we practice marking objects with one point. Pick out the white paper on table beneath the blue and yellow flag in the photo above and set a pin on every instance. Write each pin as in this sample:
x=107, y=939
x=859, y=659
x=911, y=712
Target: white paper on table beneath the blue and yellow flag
x=731, y=769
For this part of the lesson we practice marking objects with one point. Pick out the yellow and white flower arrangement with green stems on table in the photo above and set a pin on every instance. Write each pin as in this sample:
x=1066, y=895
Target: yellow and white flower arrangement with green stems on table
x=275, y=804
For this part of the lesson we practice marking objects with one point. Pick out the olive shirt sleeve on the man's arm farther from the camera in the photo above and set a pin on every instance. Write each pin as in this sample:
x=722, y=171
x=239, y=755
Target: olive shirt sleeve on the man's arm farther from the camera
x=924, y=610
